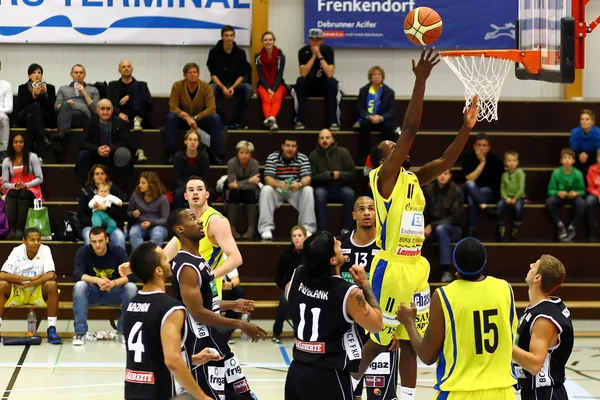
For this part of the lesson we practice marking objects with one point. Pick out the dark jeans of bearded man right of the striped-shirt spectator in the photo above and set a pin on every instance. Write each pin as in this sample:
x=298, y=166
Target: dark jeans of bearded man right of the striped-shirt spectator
x=344, y=194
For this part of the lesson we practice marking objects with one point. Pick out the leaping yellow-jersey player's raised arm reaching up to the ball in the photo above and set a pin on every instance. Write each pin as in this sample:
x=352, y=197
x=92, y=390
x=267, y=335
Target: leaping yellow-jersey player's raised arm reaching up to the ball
x=412, y=120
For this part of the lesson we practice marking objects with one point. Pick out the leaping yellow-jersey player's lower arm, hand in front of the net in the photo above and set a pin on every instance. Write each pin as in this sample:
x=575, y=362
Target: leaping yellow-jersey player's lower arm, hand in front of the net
x=435, y=168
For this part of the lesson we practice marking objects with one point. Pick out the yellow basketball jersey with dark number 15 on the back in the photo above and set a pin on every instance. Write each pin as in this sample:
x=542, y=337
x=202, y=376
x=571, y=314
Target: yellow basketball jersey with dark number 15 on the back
x=481, y=324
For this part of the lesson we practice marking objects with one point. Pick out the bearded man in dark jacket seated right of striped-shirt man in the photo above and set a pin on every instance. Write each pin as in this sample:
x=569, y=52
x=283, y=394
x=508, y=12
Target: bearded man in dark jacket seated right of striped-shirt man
x=332, y=173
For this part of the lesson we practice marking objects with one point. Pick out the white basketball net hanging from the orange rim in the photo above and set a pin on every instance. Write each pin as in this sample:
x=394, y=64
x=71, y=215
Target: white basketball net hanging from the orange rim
x=483, y=76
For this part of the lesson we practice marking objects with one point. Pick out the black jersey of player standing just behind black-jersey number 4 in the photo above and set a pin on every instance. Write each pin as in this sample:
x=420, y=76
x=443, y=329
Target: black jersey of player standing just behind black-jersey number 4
x=201, y=335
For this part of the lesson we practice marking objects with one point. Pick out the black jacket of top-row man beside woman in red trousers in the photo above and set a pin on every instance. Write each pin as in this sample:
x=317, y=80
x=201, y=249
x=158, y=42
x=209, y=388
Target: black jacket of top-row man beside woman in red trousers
x=227, y=67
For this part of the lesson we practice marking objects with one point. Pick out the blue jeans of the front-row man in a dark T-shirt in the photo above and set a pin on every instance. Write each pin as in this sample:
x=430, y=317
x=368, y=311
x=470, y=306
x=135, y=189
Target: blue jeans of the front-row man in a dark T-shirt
x=87, y=294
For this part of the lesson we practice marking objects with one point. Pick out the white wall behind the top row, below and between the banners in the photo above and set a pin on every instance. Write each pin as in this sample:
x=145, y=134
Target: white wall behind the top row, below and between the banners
x=161, y=65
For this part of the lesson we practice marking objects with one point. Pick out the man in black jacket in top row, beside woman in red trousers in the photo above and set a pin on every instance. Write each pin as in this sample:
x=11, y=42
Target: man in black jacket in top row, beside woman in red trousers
x=229, y=75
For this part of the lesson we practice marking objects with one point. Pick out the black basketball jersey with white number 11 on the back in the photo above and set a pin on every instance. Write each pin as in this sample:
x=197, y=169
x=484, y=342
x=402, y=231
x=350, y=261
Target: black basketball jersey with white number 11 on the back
x=325, y=335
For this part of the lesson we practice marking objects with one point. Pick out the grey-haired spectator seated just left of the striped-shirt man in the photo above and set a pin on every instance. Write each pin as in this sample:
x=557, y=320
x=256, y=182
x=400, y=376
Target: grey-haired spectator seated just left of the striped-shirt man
x=242, y=182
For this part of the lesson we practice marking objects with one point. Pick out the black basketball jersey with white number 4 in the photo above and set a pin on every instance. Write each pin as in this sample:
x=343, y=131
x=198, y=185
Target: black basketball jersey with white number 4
x=146, y=375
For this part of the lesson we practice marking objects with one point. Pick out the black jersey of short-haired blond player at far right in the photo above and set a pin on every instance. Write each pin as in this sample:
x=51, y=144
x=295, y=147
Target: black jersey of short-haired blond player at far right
x=553, y=370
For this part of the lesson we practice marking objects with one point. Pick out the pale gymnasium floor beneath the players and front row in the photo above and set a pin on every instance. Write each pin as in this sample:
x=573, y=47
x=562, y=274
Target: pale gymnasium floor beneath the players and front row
x=95, y=371
